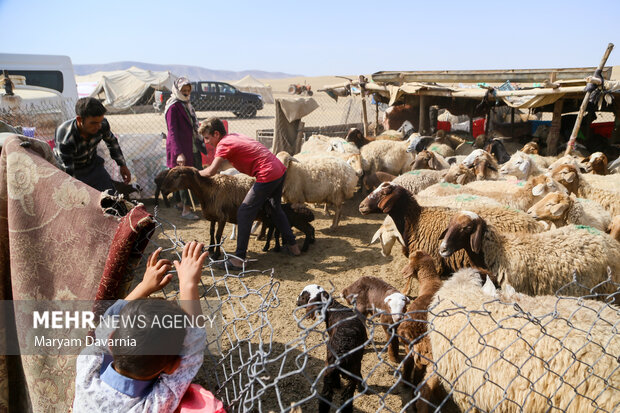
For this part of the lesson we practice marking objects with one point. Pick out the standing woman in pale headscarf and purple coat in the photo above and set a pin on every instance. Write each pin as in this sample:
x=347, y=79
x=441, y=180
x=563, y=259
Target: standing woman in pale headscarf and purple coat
x=183, y=143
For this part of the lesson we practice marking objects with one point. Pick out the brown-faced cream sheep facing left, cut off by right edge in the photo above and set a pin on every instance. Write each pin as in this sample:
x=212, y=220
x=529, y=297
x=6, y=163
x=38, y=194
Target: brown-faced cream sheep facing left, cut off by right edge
x=608, y=197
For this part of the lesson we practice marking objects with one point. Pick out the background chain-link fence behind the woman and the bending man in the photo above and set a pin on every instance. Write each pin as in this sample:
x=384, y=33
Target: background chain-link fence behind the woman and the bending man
x=141, y=130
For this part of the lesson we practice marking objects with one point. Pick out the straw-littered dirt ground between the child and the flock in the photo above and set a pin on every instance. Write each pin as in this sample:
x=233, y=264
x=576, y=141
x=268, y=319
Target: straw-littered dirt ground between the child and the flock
x=339, y=257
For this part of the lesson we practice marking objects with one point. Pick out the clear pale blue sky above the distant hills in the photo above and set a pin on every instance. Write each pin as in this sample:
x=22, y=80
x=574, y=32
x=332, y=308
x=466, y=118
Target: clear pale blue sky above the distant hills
x=318, y=38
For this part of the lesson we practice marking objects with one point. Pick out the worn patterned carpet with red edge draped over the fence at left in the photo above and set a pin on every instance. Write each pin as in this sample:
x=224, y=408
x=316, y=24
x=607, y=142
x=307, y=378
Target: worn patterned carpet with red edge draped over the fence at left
x=56, y=243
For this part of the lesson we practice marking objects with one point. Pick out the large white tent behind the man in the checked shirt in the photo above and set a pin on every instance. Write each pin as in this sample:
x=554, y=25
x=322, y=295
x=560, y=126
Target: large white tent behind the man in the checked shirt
x=122, y=89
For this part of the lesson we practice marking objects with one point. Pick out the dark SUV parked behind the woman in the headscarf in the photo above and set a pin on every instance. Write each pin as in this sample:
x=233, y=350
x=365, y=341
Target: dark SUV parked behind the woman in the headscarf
x=210, y=96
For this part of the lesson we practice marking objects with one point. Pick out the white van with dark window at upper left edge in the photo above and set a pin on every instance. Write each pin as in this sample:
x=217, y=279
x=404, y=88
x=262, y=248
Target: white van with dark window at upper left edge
x=49, y=71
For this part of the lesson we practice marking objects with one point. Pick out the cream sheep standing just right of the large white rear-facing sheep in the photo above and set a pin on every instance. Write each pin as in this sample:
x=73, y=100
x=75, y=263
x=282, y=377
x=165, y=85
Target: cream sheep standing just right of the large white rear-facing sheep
x=386, y=156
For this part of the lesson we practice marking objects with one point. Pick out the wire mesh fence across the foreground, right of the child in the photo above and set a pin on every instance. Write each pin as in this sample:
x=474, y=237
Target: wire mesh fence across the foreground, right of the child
x=476, y=351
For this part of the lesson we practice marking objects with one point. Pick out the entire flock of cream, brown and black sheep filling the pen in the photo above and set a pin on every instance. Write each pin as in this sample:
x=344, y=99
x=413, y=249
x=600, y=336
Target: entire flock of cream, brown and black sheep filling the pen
x=491, y=233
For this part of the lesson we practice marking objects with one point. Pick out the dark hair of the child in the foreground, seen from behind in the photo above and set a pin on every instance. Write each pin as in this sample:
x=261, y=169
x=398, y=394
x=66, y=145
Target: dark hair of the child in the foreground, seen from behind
x=156, y=343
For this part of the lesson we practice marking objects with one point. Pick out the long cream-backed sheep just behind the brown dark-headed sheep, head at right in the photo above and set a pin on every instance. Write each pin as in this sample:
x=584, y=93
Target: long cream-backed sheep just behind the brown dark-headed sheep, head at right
x=516, y=194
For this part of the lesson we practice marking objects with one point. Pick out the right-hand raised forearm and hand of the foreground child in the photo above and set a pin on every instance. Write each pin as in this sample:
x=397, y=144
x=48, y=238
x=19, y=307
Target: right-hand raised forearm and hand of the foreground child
x=189, y=271
